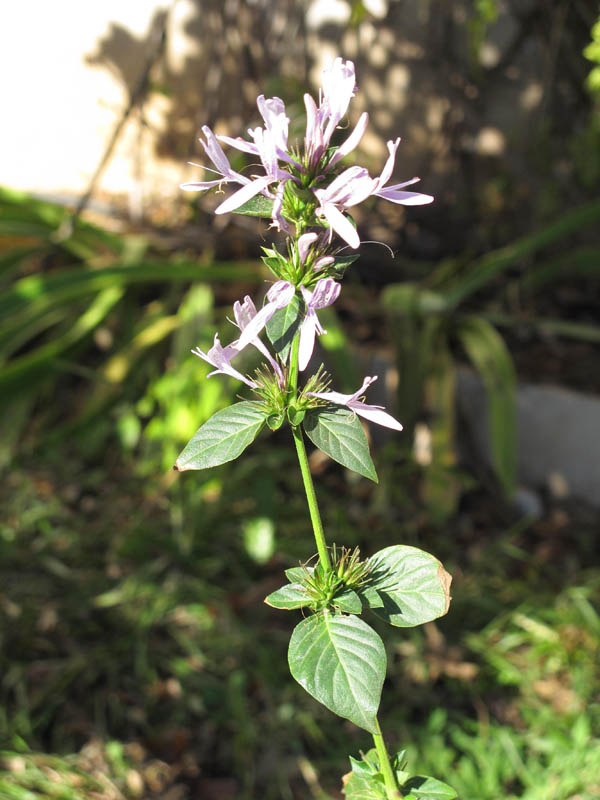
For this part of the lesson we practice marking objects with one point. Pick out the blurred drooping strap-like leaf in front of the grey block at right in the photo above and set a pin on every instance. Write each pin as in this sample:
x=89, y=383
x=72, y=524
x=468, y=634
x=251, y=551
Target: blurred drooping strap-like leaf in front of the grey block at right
x=489, y=354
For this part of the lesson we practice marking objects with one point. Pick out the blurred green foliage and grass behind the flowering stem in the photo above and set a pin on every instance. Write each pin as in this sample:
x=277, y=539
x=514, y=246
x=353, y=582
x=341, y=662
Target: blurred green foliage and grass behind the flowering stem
x=136, y=656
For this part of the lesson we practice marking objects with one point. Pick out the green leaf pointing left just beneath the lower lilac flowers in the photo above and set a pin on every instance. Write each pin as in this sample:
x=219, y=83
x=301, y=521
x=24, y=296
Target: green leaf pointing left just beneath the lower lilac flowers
x=223, y=437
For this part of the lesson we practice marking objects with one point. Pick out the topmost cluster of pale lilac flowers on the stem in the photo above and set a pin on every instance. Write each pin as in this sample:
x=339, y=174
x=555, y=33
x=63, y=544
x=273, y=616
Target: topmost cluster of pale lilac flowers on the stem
x=270, y=144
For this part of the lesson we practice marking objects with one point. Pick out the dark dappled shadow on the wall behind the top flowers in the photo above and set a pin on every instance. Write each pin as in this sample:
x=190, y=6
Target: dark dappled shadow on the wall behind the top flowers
x=489, y=103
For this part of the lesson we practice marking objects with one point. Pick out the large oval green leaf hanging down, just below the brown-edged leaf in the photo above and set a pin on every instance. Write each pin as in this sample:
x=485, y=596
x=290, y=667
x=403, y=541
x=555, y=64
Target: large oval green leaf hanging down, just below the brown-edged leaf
x=341, y=662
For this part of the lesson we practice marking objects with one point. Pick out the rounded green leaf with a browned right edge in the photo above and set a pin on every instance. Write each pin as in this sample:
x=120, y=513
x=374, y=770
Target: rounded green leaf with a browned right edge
x=406, y=586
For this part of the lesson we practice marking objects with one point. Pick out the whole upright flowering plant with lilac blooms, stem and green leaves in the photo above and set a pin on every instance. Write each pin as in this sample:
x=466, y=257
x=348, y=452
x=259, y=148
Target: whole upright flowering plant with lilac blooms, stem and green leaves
x=333, y=653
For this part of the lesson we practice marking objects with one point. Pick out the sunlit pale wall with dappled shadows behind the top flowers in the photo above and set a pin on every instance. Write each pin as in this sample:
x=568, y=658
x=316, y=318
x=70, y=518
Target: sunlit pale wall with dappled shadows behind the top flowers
x=468, y=119
